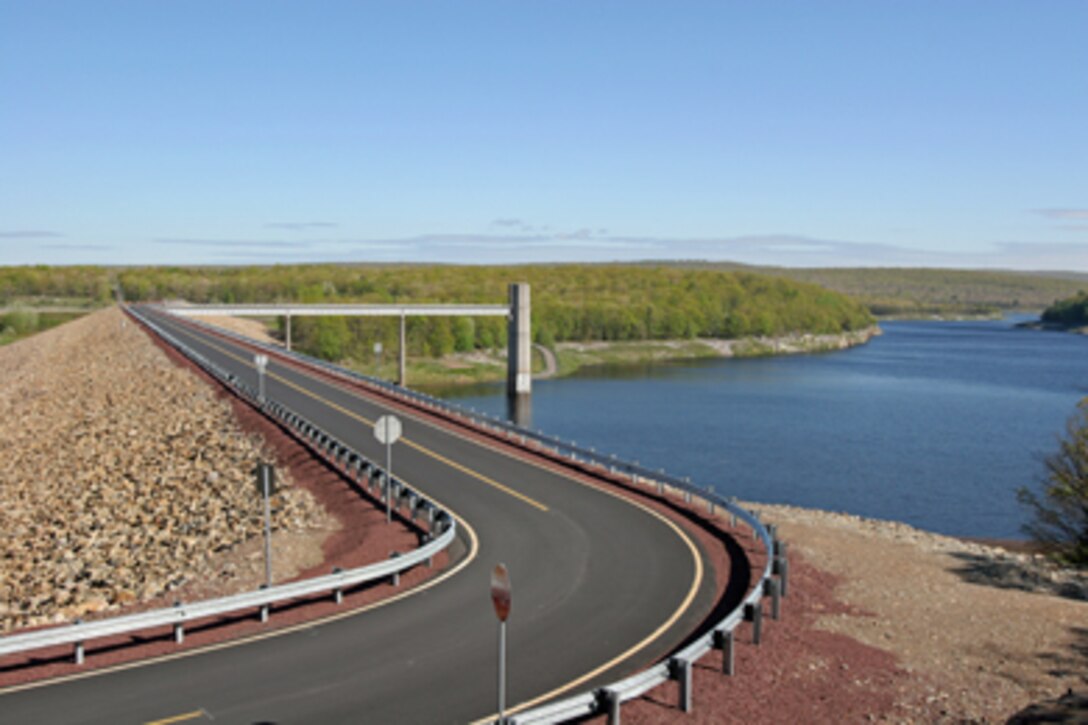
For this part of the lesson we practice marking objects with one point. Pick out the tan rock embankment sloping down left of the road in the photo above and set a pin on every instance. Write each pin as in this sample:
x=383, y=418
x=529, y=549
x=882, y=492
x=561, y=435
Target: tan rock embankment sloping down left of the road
x=123, y=477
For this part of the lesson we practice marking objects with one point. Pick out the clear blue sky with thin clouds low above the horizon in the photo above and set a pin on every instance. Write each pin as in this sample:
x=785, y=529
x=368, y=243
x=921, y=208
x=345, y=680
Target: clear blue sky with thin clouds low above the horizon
x=873, y=133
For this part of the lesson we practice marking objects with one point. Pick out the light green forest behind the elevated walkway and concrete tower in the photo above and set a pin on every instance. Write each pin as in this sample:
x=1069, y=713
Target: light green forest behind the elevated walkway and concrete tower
x=570, y=302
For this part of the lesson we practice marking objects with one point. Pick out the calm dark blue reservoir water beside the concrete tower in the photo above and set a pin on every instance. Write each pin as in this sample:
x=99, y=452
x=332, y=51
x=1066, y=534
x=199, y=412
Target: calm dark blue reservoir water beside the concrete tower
x=934, y=424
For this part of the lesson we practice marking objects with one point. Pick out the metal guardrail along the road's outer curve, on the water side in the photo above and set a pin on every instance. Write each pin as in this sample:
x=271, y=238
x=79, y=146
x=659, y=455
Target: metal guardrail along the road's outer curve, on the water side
x=773, y=582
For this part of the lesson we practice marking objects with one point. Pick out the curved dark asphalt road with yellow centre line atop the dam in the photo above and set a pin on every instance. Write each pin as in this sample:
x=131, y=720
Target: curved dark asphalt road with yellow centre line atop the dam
x=595, y=579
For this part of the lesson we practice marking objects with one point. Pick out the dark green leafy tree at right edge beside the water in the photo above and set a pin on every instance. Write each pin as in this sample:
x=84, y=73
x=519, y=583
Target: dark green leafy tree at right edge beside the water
x=1060, y=506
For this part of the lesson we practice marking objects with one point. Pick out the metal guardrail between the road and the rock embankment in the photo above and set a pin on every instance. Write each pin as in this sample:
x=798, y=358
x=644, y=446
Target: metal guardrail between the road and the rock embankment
x=441, y=532
